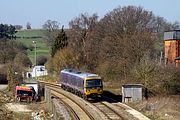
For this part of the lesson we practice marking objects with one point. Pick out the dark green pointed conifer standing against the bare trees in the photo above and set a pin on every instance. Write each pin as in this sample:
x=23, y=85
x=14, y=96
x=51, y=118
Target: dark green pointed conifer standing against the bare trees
x=60, y=42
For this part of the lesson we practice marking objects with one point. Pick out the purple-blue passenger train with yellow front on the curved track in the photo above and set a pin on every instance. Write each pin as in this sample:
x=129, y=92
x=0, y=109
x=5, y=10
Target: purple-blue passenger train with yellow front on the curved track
x=86, y=85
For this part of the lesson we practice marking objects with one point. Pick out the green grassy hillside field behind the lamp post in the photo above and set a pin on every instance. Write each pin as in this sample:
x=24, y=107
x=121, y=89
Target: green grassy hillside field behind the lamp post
x=27, y=37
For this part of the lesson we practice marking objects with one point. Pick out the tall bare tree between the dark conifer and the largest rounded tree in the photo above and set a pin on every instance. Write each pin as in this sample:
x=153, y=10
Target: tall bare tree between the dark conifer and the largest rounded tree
x=81, y=30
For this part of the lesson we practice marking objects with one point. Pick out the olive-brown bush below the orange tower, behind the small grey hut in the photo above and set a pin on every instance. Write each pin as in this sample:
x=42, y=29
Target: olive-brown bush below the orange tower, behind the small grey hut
x=158, y=79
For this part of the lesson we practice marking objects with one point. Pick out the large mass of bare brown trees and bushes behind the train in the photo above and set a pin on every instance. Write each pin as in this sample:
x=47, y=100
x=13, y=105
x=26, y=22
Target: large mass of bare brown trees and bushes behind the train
x=124, y=47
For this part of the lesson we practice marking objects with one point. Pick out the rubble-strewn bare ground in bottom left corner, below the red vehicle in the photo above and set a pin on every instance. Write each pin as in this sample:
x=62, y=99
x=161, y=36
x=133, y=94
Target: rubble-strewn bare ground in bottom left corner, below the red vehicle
x=10, y=109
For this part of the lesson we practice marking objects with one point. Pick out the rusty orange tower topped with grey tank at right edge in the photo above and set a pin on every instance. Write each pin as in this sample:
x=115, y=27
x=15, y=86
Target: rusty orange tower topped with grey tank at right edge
x=172, y=47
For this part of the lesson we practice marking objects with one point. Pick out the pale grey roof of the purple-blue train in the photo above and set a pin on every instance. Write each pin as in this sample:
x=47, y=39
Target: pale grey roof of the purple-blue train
x=80, y=73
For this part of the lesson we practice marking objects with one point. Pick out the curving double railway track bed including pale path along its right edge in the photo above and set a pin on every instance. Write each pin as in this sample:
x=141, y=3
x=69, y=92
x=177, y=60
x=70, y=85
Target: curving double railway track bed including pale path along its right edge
x=107, y=109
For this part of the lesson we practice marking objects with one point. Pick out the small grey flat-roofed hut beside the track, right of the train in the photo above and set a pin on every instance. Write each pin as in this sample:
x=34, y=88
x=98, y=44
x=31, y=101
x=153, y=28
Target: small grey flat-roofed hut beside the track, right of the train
x=131, y=92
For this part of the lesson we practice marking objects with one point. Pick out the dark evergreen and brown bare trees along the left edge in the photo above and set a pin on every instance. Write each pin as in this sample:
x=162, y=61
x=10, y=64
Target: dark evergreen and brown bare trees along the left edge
x=13, y=56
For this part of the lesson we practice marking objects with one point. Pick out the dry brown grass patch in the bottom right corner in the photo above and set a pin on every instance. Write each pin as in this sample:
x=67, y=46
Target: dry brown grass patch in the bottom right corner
x=160, y=108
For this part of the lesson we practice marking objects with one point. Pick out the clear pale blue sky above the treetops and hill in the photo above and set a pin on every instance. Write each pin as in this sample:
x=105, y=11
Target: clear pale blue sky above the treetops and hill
x=37, y=12
